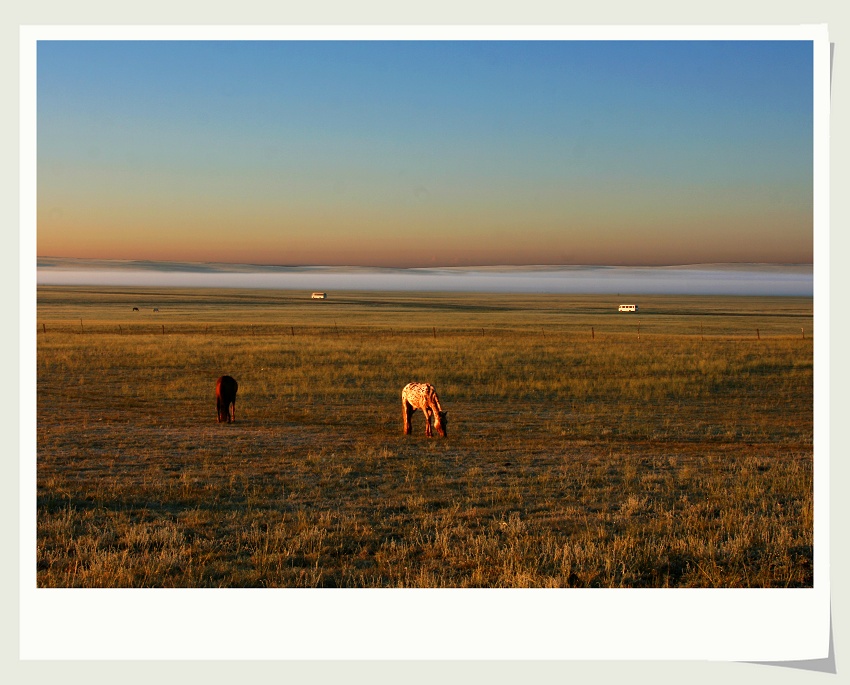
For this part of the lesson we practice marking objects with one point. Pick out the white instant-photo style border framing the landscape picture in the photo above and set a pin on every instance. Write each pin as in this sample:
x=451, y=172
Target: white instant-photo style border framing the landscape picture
x=295, y=624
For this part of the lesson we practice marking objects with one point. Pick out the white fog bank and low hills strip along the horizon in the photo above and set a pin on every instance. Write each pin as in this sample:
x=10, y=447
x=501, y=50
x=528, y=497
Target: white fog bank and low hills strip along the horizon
x=713, y=279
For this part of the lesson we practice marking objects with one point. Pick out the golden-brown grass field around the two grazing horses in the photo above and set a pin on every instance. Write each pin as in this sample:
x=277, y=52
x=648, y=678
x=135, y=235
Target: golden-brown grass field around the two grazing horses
x=586, y=448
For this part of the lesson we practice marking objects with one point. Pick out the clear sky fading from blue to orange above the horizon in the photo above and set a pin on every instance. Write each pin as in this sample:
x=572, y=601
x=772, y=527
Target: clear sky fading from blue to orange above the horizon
x=426, y=153
